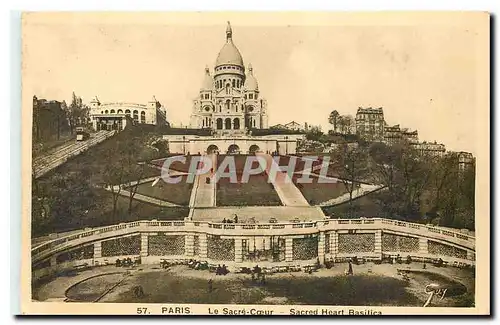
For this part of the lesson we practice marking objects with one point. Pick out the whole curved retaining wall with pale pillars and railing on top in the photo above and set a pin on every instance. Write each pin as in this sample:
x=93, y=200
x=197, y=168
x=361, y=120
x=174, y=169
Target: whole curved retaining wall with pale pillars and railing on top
x=241, y=244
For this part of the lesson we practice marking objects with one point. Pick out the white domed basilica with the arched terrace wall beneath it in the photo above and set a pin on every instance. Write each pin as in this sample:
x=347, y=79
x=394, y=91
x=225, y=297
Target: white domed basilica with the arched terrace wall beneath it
x=231, y=111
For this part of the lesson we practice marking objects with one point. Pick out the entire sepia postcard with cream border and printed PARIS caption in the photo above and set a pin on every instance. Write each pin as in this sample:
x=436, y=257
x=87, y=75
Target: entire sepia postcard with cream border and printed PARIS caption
x=255, y=163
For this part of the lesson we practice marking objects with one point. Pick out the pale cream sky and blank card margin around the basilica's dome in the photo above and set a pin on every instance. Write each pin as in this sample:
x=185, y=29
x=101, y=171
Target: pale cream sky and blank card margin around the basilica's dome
x=426, y=72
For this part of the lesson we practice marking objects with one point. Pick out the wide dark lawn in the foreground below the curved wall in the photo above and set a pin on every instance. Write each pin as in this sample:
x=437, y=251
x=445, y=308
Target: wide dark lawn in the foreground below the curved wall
x=357, y=290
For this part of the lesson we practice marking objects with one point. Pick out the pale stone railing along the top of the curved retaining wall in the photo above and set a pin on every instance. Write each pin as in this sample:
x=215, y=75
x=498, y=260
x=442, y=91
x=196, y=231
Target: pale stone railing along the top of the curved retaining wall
x=42, y=250
